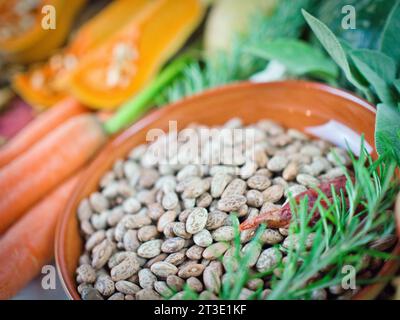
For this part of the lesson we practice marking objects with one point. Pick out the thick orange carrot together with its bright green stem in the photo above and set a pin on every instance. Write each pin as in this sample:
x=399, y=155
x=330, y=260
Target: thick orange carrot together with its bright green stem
x=32, y=175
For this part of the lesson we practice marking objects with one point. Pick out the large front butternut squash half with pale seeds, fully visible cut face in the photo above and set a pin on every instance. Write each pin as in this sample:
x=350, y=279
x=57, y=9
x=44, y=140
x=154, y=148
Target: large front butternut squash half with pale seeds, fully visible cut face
x=107, y=77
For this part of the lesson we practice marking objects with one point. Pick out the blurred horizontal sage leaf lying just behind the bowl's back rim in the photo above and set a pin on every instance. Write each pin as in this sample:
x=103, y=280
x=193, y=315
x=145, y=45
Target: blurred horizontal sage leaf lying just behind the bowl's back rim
x=297, y=56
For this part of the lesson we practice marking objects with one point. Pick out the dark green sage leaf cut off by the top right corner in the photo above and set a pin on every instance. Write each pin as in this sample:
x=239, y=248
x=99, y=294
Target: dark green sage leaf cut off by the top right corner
x=390, y=38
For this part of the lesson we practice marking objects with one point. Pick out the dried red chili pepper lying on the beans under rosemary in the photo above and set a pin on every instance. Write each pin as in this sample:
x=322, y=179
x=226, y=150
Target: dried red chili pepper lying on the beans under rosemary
x=279, y=218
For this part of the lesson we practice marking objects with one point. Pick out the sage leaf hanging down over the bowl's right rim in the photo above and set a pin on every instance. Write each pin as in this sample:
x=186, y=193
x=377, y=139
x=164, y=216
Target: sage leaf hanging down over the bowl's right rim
x=387, y=131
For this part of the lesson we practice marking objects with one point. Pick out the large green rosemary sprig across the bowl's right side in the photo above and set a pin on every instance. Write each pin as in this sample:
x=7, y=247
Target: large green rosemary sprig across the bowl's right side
x=345, y=240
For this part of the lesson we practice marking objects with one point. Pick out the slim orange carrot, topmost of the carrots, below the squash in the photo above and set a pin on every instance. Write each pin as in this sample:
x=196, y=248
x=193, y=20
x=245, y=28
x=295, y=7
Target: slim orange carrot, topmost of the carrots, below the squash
x=38, y=128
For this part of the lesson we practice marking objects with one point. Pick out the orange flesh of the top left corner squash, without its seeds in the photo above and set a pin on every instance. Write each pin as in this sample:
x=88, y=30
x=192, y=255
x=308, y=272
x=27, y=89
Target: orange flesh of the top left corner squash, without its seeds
x=37, y=43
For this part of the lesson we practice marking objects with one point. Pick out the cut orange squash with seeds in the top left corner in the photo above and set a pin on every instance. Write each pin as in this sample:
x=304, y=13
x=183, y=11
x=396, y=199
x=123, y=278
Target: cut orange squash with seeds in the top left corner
x=23, y=38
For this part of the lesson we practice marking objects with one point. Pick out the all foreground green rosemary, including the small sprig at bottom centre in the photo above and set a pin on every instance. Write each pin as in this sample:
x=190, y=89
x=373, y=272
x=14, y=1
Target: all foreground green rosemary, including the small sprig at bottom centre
x=342, y=236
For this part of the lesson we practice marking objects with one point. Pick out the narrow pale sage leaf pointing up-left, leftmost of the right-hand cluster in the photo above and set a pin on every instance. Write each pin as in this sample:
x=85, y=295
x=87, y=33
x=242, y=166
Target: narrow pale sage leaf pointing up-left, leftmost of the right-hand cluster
x=333, y=47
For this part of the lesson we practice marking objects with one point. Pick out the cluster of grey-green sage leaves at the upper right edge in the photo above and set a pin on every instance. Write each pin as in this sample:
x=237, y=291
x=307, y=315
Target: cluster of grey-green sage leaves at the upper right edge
x=375, y=73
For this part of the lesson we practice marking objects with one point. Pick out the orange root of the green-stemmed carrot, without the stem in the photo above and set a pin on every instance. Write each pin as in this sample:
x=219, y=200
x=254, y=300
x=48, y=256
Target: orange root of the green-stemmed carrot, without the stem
x=47, y=164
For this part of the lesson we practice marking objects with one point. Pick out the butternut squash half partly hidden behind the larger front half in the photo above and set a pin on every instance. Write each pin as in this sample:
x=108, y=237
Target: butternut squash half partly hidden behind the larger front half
x=43, y=85
